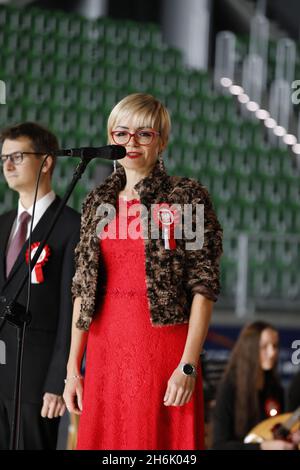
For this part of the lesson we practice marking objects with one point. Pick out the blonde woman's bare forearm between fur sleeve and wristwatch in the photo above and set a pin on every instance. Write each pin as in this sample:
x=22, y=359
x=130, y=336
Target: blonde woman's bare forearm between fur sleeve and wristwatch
x=200, y=316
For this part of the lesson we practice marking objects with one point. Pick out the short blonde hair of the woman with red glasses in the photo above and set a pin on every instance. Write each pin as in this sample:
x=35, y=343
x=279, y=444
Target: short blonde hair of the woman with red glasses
x=145, y=111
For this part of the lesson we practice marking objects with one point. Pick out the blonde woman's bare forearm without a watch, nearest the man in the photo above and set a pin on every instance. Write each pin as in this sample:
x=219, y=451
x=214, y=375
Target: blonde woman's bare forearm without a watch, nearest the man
x=78, y=342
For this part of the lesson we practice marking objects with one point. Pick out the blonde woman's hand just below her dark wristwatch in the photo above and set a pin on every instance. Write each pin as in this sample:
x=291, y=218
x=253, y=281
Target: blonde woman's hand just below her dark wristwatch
x=180, y=389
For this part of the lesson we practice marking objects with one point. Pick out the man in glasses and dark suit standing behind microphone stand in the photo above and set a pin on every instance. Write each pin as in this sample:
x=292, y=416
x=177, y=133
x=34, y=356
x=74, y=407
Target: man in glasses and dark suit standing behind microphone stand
x=48, y=335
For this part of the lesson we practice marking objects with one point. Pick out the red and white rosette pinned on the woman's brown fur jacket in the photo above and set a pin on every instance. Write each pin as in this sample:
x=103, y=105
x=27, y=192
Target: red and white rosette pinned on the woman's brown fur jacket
x=166, y=218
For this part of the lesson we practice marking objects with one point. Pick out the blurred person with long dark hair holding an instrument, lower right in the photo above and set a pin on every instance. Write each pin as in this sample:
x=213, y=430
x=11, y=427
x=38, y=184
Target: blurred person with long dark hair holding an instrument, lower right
x=250, y=391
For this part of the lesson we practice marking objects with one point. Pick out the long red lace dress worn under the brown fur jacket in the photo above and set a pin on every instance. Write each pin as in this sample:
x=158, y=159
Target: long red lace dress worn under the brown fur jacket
x=129, y=362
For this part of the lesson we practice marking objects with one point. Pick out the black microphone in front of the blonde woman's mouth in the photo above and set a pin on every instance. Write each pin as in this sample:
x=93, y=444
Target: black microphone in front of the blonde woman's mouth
x=108, y=152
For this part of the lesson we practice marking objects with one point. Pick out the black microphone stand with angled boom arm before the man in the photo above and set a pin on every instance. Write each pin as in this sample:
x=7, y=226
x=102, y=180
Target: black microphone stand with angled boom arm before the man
x=16, y=314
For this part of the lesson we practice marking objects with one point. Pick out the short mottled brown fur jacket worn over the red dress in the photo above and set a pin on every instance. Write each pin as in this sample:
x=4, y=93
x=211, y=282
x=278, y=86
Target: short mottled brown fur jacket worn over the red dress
x=172, y=276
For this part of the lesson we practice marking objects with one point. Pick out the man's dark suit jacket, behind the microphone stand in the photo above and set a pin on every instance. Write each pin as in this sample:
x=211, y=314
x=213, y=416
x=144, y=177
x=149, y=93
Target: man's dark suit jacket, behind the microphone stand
x=48, y=335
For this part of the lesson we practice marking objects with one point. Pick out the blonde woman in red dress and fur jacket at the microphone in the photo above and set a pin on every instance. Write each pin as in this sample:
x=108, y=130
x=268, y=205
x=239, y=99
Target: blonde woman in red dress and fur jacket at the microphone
x=142, y=304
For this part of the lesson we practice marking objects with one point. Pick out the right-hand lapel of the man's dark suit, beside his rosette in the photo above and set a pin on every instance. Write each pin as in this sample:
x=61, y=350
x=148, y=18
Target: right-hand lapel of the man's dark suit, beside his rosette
x=37, y=236
